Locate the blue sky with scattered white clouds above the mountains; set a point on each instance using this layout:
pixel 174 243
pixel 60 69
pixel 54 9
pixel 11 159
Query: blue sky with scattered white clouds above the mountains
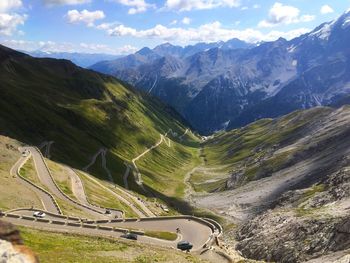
pixel 124 26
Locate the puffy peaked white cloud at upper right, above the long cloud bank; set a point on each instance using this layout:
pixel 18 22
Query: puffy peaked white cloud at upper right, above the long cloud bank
pixel 284 14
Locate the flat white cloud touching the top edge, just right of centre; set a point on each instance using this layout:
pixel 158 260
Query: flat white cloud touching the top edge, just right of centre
pixel 187 5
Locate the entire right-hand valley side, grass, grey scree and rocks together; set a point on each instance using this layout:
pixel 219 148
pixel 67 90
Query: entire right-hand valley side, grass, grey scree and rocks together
pixel 285 182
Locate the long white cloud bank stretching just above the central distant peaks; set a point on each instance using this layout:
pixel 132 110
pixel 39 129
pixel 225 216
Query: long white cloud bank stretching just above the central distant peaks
pixel 205 33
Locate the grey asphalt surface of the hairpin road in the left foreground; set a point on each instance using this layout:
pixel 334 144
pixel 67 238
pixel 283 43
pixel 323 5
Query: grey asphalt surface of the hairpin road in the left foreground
pixel 193 231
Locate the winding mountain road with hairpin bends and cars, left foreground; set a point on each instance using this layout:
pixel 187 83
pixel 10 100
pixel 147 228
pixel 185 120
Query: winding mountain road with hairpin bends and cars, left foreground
pixel 194 230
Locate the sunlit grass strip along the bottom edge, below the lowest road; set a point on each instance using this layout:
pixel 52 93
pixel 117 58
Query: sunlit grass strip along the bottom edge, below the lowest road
pixel 62 247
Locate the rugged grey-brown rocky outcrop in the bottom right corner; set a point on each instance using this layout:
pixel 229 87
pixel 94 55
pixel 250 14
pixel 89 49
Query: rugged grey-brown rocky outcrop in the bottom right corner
pixel 305 224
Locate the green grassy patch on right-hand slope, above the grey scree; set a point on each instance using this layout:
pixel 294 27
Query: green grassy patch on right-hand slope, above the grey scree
pixel 252 152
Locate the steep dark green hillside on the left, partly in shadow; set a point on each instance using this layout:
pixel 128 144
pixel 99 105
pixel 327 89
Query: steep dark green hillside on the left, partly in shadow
pixel 83 112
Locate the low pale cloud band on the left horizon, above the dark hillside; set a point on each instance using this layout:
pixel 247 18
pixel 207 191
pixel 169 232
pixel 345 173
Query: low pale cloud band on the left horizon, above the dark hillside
pixel 50 46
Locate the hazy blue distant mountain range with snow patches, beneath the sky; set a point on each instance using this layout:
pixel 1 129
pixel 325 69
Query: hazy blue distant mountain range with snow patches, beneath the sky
pixel 229 84
